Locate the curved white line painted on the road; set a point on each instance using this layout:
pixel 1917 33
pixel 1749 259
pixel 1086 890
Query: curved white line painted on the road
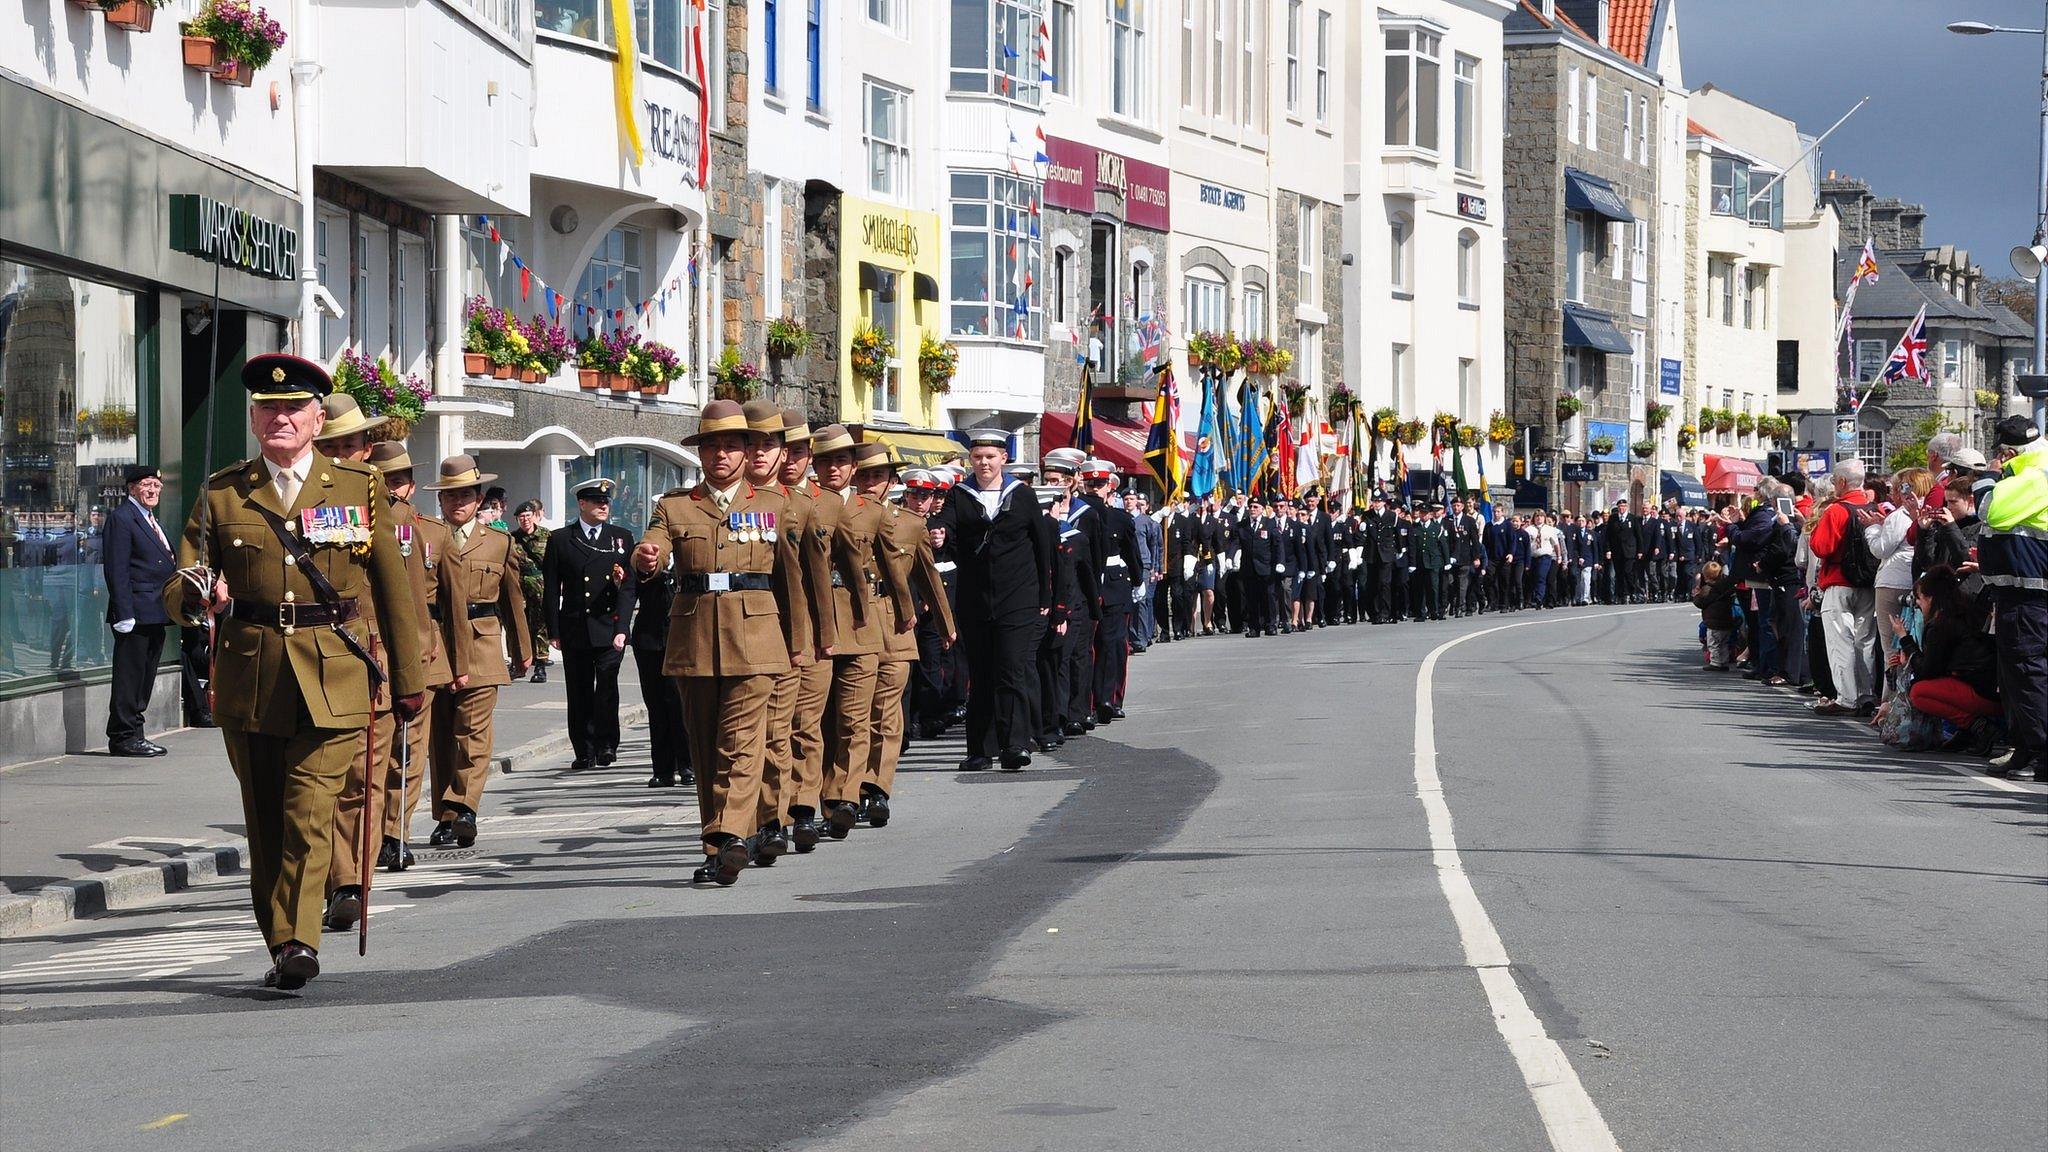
pixel 1570 1116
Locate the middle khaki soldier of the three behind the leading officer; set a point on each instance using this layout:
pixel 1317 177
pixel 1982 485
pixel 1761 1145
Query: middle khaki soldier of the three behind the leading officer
pixel 425 544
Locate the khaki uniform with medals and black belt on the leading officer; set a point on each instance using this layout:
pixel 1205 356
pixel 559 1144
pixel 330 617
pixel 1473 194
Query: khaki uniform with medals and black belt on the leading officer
pixel 292 698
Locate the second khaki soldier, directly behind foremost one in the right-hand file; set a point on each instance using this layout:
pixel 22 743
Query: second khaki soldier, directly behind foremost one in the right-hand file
pixel 812 600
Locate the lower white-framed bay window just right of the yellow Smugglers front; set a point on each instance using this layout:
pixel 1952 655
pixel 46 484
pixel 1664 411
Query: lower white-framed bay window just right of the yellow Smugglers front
pixel 998 259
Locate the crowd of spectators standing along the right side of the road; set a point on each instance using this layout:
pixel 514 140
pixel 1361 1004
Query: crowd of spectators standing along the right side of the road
pixel 1918 600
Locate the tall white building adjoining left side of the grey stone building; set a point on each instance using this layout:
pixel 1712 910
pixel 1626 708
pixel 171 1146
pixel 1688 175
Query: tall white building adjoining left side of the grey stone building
pixel 1422 216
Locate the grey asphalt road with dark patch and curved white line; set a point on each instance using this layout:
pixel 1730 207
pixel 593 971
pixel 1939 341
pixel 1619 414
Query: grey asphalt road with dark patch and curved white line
pixel 1598 899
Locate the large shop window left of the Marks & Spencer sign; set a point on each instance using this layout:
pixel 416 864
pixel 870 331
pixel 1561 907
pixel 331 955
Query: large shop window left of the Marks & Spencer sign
pixel 71 421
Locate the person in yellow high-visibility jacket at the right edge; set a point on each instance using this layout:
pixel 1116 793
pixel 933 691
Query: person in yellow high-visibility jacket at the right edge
pixel 2014 561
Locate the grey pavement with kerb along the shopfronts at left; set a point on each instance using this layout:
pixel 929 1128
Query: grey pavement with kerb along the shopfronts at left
pixel 87 833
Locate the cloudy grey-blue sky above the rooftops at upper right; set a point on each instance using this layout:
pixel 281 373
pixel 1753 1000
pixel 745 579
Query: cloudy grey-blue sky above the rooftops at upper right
pixel 1953 122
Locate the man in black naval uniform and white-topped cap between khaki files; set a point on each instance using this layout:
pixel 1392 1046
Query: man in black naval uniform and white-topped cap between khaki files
pixel 589 610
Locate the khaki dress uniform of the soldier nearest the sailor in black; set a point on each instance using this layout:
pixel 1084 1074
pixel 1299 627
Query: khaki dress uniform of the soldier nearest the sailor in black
pixel 857 587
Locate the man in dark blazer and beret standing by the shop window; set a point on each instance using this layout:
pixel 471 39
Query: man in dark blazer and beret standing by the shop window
pixel 138 565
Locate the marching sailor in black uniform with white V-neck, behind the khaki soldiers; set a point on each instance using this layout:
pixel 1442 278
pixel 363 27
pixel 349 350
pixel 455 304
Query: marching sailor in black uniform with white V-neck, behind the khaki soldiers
pixel 1007 591
